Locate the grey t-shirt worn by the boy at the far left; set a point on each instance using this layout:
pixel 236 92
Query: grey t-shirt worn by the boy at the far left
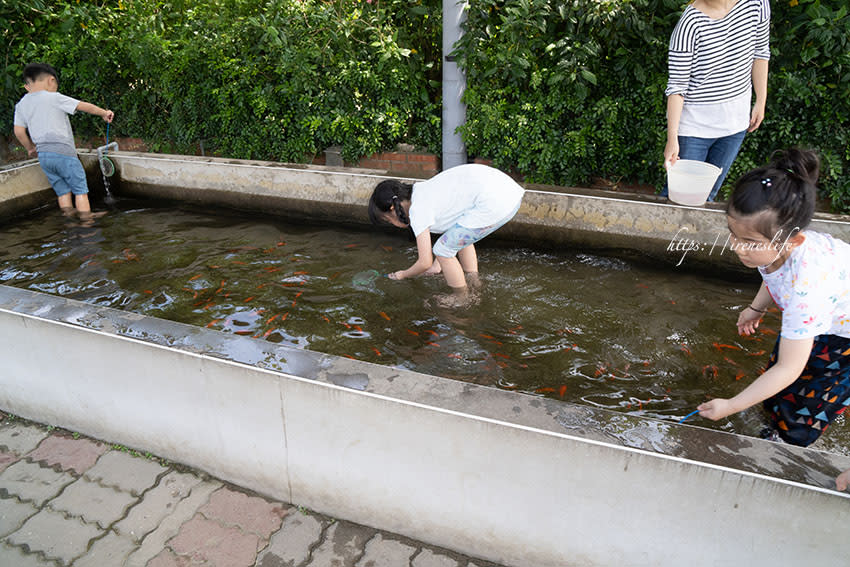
pixel 45 115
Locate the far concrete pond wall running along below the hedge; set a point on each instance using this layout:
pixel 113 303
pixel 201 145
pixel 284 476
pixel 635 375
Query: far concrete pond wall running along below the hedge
pixel 549 216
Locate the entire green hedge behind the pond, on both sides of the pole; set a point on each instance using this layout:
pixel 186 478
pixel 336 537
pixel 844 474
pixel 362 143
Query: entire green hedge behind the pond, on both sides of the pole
pixel 562 91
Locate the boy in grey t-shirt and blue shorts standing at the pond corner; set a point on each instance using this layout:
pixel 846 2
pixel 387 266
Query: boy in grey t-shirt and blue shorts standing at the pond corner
pixel 42 126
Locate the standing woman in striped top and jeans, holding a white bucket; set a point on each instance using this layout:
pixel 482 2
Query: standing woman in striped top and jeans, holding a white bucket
pixel 718 55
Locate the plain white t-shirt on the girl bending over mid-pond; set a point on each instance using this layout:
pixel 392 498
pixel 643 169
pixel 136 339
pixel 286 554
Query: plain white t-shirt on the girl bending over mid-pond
pixel 471 195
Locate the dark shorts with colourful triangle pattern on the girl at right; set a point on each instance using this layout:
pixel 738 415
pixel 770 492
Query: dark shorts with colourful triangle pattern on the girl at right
pixel 803 411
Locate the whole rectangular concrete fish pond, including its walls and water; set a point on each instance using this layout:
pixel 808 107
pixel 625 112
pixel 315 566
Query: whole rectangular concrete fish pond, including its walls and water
pixel 241 344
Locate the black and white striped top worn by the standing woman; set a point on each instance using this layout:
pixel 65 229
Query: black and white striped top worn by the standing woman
pixel 711 61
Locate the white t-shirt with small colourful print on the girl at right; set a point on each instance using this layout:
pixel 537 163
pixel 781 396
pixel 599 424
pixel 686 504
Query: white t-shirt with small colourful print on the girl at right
pixel 812 288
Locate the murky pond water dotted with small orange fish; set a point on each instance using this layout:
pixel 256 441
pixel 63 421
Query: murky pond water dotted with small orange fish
pixel 610 331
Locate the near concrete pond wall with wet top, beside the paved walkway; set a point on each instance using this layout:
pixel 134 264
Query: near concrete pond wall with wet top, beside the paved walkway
pixel 507 477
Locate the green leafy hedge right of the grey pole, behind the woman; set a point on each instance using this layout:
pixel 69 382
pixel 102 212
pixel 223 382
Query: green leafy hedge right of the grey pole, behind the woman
pixel 568 91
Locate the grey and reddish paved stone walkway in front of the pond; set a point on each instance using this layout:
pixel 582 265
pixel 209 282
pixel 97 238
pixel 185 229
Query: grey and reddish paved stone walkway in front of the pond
pixel 69 501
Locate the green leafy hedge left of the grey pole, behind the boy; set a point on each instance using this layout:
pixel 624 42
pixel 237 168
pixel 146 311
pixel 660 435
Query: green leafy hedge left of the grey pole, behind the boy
pixel 261 79
